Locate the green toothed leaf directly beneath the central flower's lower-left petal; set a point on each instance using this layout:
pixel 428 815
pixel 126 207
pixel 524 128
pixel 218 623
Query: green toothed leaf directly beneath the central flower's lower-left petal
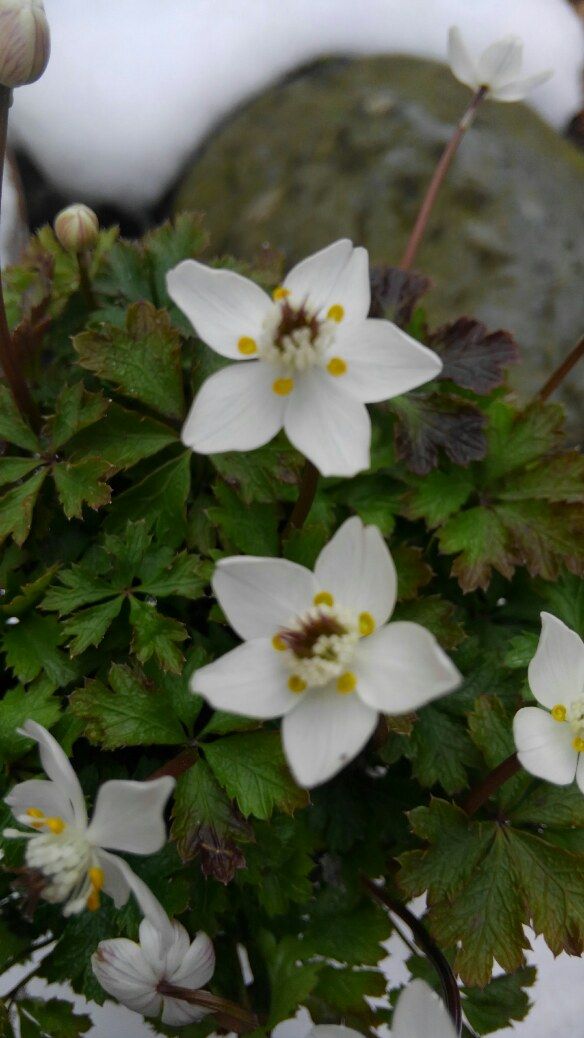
pixel 253 769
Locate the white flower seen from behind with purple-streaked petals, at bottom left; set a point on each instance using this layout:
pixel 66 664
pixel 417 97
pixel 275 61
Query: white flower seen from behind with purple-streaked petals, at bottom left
pixel 134 973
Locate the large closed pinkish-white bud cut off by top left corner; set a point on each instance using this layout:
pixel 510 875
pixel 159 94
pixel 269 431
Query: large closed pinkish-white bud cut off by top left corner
pixel 25 42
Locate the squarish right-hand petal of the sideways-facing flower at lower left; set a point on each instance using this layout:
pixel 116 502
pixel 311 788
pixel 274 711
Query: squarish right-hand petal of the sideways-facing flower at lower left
pixel 130 815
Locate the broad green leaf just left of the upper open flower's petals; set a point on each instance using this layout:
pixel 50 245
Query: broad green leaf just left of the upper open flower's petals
pixel 143 361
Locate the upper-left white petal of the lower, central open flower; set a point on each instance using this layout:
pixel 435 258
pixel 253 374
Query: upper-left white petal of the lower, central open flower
pixel 259 596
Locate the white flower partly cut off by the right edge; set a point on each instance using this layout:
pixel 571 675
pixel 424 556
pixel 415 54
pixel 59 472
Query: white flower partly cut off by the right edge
pixel 550 743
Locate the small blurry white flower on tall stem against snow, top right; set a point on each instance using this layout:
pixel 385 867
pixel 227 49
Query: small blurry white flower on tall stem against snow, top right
pixel 498 69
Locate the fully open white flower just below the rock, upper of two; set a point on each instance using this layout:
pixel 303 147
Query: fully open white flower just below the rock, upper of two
pixel 311 360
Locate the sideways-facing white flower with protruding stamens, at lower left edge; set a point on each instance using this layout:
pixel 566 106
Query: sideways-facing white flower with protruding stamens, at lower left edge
pixel 69 854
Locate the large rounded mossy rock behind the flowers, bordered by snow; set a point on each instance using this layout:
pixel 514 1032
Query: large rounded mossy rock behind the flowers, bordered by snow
pixel 348 148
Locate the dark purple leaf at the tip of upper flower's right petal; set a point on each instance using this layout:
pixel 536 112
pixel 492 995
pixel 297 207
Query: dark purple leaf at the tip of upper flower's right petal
pixel 472 358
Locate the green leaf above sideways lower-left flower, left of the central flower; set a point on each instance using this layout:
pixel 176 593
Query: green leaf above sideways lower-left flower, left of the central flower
pixel 129 714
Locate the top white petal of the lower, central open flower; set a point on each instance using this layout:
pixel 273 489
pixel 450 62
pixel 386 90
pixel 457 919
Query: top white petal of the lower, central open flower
pixel 357 569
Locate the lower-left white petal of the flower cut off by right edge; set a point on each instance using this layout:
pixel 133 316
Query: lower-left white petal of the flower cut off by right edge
pixel 545 746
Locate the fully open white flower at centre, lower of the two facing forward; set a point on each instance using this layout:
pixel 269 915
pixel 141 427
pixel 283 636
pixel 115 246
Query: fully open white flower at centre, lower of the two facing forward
pixel 319 651
